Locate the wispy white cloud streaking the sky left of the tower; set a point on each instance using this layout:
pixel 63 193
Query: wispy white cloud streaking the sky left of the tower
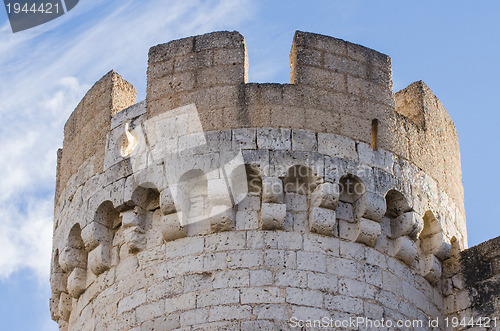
pixel 46 71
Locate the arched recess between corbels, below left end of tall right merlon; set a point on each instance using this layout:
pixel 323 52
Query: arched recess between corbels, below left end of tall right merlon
pixel 299 182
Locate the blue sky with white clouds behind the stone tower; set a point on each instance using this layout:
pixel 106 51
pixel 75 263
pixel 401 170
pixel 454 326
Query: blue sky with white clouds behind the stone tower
pixel 45 71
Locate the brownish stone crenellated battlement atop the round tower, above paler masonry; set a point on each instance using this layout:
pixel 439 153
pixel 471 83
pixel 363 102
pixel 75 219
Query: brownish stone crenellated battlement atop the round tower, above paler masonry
pixel 336 87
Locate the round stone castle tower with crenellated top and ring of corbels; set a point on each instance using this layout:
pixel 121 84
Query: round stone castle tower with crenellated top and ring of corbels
pixel 222 204
